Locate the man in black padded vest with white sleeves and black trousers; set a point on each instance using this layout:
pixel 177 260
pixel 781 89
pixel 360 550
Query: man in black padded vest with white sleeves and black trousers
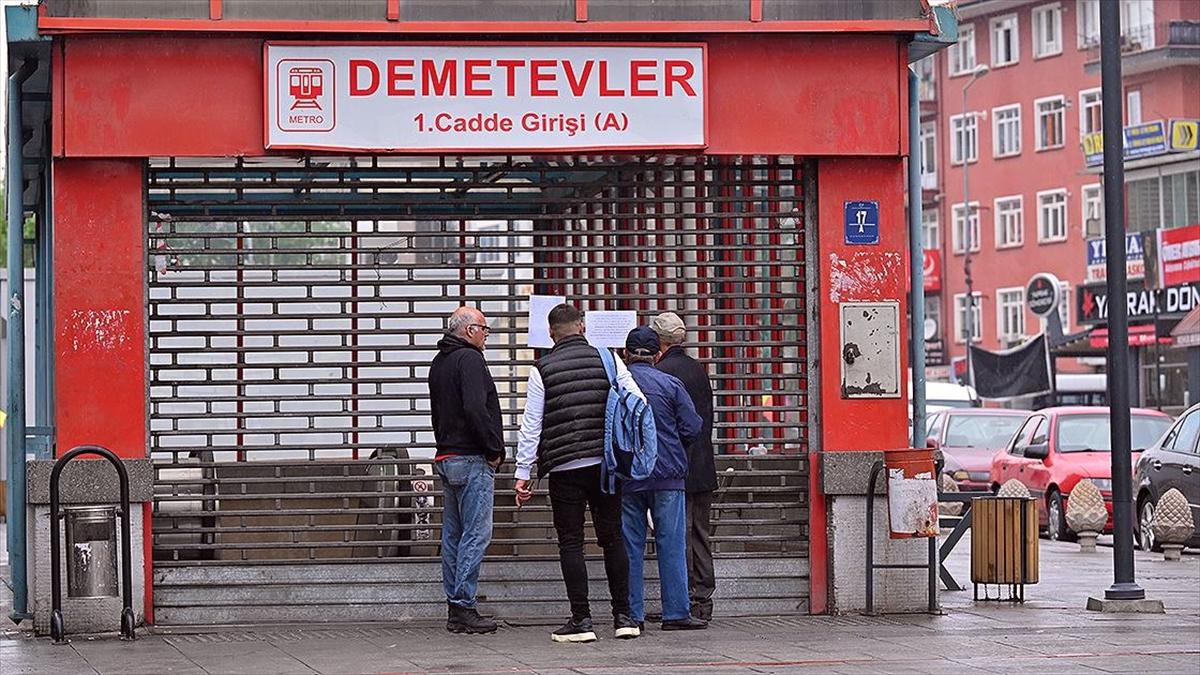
pixel 563 432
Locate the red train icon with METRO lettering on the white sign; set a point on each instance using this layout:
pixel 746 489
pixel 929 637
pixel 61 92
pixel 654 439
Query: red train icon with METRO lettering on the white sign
pixel 305 95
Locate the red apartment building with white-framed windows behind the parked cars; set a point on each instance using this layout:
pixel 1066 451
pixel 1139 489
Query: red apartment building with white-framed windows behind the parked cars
pixel 1011 122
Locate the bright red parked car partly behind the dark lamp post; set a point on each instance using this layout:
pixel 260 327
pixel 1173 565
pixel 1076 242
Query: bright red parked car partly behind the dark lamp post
pixel 1059 447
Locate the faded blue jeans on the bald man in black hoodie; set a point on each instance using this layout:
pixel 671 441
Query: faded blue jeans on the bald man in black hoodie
pixel 467 487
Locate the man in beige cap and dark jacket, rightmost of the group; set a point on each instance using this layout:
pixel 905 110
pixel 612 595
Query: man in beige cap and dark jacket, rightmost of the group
pixel 701 481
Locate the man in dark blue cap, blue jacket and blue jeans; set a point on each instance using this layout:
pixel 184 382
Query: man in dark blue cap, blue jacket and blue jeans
pixel 662 494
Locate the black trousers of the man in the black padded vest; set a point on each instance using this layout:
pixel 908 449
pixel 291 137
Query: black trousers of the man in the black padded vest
pixel 573 494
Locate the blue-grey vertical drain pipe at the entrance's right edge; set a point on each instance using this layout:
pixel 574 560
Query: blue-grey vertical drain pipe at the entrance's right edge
pixel 917 268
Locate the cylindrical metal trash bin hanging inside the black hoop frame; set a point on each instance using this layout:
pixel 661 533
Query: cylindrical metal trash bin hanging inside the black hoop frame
pixel 92 540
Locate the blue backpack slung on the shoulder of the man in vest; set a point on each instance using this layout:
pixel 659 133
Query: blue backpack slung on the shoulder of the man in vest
pixel 631 440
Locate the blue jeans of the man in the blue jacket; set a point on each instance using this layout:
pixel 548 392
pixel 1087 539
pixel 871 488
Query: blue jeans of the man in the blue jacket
pixel 668 507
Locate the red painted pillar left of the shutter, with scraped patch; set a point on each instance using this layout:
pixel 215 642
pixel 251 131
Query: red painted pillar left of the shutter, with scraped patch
pixel 100 313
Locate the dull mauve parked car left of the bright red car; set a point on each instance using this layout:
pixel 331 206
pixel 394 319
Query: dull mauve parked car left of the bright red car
pixel 969 439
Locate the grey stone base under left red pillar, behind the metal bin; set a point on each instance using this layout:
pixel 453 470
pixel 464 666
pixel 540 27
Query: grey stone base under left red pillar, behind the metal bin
pixel 81 616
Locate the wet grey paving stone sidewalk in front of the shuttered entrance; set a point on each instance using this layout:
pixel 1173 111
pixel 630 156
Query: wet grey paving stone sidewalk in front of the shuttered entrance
pixel 1051 634
